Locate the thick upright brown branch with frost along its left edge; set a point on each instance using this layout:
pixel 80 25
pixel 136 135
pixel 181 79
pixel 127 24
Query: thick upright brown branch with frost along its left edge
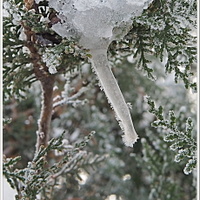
pixel 47 82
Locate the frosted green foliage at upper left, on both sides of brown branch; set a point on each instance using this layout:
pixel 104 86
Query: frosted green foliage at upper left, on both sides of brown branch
pixel 16 56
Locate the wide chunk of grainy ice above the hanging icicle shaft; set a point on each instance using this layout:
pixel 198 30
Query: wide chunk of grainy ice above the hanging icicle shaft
pixel 94 20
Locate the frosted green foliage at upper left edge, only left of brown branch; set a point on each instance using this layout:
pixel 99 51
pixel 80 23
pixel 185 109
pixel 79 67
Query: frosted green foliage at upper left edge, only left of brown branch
pixel 16 62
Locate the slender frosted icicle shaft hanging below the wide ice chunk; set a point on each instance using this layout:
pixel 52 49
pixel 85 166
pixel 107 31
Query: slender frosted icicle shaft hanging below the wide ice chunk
pixel 109 84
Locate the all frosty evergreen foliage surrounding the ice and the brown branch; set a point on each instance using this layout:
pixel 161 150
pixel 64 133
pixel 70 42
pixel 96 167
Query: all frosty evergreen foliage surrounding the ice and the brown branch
pixel 161 38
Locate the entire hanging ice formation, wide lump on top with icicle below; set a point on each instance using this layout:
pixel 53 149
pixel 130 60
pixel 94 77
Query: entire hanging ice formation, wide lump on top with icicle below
pixel 95 24
